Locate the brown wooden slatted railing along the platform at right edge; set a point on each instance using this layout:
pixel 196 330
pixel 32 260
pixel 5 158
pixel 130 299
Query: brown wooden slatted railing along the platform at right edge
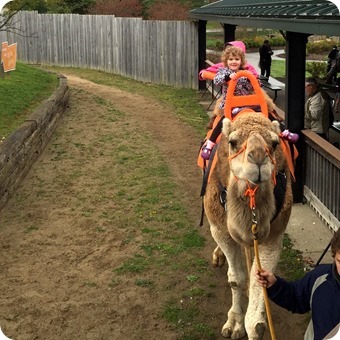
pixel 322 178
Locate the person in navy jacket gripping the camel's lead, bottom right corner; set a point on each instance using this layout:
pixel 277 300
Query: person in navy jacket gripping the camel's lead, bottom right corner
pixel 318 291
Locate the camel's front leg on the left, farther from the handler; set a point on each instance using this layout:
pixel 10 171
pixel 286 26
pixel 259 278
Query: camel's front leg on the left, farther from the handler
pixel 237 278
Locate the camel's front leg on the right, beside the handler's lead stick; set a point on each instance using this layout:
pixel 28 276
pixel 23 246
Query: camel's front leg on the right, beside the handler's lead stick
pixel 255 320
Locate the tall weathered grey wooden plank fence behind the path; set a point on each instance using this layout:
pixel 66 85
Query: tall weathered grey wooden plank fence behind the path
pixel 161 52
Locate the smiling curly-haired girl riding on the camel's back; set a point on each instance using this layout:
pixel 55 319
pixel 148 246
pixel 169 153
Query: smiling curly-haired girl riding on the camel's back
pixel 233 60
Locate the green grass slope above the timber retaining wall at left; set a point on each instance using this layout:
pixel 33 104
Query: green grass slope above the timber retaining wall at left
pixel 21 91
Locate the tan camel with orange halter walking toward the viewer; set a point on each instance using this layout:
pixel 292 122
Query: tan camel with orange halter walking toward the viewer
pixel 250 160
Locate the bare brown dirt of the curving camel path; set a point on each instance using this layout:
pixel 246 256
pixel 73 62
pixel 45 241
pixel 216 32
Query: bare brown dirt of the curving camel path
pixel 48 249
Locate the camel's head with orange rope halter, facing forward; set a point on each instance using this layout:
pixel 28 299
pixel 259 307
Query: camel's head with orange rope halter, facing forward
pixel 253 141
